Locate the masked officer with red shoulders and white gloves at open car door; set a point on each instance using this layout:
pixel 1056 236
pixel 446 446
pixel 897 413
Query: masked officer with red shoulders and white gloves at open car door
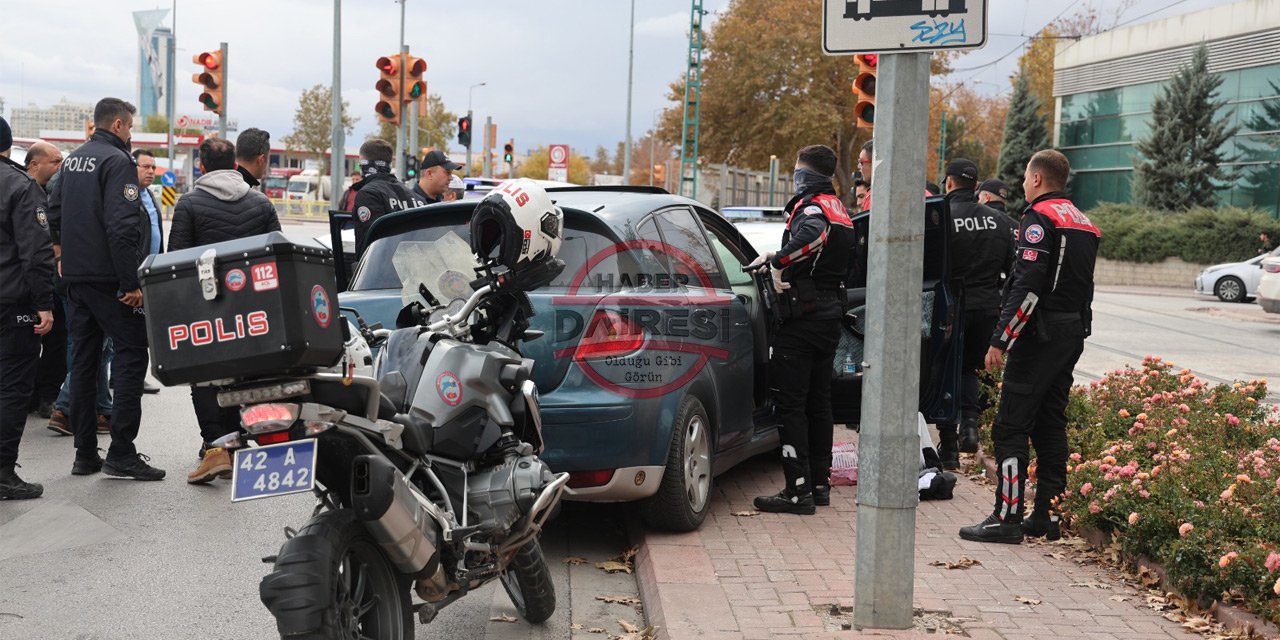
pixel 810 278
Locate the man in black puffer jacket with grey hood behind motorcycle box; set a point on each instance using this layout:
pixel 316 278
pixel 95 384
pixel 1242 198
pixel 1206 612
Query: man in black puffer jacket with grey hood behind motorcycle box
pixel 221 208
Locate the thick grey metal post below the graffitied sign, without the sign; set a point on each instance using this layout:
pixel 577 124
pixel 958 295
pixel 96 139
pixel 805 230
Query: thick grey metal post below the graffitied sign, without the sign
pixel 890 446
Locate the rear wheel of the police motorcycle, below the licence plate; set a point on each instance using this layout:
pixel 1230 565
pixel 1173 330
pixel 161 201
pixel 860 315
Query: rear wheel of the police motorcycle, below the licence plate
pixel 367 597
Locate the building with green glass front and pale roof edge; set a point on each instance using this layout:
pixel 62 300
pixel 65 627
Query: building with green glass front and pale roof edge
pixel 1104 88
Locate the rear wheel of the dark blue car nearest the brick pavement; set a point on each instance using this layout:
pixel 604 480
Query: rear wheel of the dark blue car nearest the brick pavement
pixel 685 492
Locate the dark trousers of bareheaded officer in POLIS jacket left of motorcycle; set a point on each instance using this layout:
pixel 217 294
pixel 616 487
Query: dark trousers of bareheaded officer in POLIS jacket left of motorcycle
pixel 98 314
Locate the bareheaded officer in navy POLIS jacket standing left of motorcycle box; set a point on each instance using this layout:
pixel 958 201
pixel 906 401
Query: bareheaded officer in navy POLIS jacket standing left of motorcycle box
pixel 106 236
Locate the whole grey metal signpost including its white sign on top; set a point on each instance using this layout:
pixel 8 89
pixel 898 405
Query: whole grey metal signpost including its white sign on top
pixel 890 446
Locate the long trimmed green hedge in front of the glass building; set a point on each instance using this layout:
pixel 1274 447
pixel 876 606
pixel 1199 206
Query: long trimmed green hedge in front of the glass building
pixel 1200 236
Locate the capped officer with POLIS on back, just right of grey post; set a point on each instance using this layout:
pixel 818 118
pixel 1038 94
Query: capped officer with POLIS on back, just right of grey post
pixel 982 253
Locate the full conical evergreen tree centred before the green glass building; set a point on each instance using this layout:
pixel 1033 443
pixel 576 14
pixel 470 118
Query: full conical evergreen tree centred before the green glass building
pixel 1180 164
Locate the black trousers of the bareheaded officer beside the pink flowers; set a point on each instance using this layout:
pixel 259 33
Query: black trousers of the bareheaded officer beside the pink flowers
pixel 1034 399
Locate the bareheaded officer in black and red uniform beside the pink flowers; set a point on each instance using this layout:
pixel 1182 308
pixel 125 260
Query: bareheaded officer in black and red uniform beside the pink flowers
pixel 1046 316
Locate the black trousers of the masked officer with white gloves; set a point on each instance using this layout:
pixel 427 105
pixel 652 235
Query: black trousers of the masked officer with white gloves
pixel 801 376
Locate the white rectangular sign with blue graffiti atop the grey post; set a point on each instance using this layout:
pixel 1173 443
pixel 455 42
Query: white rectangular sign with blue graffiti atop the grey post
pixel 902 26
